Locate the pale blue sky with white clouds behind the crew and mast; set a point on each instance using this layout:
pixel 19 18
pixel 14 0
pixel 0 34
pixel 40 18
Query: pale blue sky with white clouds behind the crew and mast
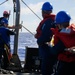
pixel 29 19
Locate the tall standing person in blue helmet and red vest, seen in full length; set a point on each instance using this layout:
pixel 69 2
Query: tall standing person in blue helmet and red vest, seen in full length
pixel 43 36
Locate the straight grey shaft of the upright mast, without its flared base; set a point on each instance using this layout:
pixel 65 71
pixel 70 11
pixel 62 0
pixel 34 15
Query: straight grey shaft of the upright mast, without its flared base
pixel 17 25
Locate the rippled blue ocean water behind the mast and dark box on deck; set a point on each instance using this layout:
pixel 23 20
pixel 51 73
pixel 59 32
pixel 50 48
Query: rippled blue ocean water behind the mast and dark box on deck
pixel 24 40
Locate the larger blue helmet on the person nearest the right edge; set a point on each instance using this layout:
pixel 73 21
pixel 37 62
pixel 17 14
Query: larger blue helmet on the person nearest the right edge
pixel 62 17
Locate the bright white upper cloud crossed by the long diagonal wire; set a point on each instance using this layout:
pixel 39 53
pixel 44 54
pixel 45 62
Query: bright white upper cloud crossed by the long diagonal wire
pixel 34 7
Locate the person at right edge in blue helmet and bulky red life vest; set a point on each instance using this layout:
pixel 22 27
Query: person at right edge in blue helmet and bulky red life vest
pixel 64 42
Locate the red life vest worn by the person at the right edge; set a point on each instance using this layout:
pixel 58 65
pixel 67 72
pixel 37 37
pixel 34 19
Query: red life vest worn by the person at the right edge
pixel 69 41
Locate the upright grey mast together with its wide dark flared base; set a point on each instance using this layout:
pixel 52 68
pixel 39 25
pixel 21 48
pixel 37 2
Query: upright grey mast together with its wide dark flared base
pixel 15 57
